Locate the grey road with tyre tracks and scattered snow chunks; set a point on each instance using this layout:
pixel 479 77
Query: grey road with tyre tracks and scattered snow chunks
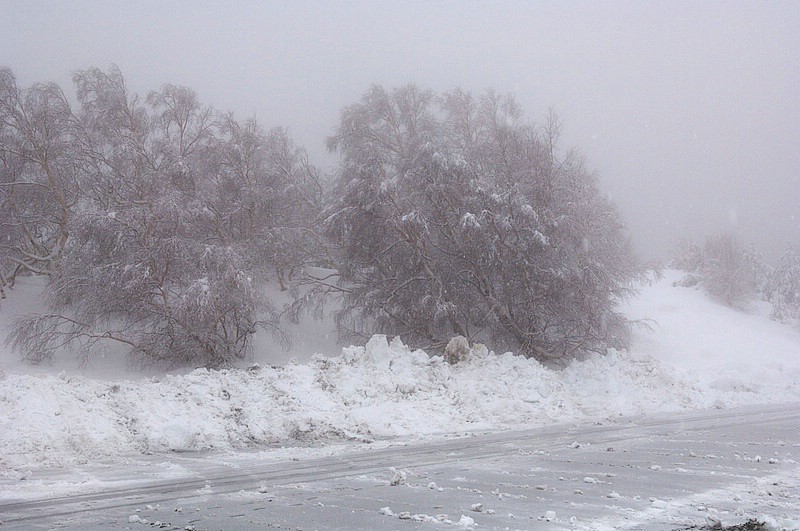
pixel 664 472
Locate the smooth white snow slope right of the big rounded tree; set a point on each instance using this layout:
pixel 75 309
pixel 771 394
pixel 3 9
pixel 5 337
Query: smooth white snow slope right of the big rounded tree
pixel 742 353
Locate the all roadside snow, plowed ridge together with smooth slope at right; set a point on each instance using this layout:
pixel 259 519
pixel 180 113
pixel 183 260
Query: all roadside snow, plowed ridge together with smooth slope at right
pixel 698 354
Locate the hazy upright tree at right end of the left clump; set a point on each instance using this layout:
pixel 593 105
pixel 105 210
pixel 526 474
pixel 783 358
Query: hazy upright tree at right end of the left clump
pixel 263 193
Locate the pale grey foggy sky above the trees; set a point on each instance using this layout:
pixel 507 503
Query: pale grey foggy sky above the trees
pixel 689 113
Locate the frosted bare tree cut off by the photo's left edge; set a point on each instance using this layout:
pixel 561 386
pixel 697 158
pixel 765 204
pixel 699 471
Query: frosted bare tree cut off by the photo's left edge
pixel 39 177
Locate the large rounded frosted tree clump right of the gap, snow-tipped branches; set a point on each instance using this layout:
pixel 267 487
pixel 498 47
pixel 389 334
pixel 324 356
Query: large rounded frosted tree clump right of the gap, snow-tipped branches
pixel 455 217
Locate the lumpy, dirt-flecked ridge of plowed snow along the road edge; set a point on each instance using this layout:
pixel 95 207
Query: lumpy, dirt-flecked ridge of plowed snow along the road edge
pixel 382 389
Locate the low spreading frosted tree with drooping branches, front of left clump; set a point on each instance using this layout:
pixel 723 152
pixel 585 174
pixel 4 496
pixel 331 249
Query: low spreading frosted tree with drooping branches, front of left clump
pixel 141 277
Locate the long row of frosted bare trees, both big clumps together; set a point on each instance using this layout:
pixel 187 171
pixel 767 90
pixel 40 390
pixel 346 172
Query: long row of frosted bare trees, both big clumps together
pixel 158 221
